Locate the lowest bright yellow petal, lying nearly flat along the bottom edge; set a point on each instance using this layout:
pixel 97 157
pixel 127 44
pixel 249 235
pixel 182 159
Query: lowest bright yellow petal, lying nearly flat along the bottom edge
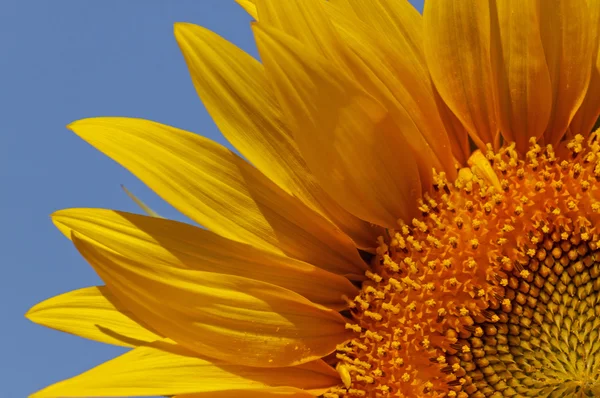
pixel 146 371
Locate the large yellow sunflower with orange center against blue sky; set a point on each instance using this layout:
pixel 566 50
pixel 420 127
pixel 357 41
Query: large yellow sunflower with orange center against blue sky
pixel 417 215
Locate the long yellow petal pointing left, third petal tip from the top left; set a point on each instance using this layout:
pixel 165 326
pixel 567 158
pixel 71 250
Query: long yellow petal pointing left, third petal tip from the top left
pixel 219 190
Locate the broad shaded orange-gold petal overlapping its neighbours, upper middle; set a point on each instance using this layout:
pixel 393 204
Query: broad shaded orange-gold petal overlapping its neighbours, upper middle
pixel 346 137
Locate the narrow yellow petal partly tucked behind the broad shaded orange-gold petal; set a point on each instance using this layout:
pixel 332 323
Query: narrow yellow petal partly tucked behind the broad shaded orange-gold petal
pixel 235 91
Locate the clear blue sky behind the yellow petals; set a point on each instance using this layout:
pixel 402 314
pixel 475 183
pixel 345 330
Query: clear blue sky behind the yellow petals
pixel 61 61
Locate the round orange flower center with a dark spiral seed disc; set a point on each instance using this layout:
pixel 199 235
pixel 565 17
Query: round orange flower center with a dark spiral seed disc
pixel 493 291
